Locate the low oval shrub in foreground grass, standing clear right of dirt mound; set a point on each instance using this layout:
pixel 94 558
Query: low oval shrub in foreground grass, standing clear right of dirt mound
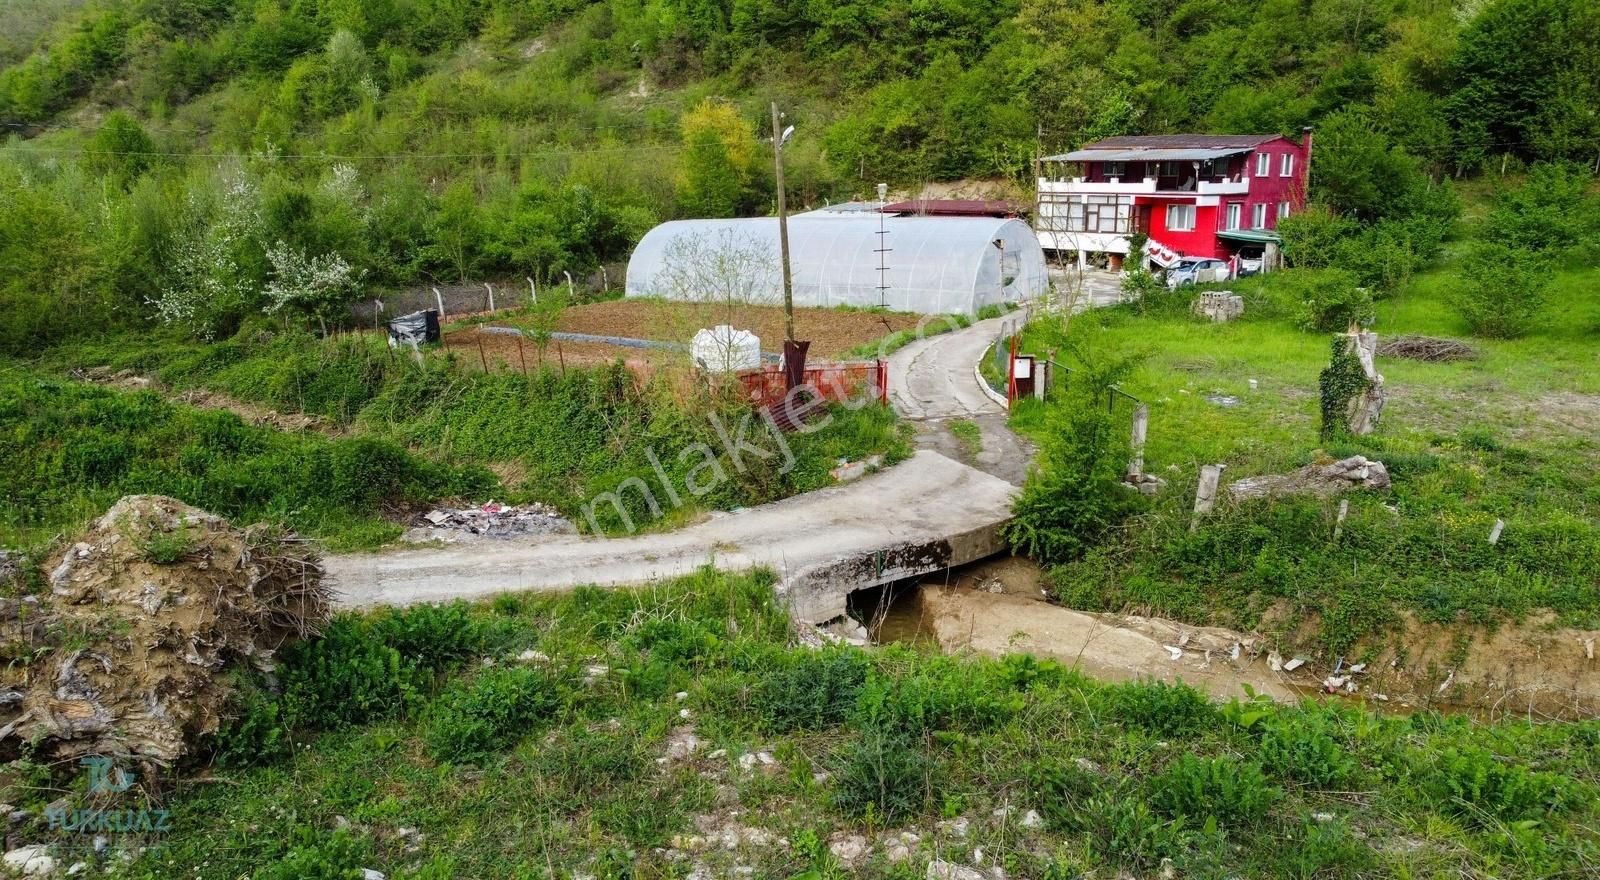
pixel 478 719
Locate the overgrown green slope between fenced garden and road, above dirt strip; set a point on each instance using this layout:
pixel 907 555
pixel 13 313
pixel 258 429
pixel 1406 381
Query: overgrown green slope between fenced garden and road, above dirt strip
pixel 562 439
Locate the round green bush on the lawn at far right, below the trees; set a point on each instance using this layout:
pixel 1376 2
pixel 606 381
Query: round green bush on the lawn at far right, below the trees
pixel 1502 290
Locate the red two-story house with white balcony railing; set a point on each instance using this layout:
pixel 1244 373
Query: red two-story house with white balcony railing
pixel 1217 196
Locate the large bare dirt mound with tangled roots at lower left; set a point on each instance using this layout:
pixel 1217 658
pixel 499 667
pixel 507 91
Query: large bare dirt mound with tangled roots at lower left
pixel 127 654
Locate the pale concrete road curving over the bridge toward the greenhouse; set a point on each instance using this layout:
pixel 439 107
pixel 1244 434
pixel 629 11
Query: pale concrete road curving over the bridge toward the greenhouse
pixel 927 498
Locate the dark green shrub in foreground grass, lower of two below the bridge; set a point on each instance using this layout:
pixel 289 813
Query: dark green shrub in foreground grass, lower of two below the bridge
pixel 884 775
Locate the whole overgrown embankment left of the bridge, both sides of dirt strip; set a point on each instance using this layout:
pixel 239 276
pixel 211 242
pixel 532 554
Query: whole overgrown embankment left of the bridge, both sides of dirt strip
pixel 561 438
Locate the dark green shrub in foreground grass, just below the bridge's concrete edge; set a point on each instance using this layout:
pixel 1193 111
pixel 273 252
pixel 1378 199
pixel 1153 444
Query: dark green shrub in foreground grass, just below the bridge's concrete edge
pixel 809 690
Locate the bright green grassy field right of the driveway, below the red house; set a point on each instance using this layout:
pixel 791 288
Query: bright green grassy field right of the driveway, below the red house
pixel 1513 434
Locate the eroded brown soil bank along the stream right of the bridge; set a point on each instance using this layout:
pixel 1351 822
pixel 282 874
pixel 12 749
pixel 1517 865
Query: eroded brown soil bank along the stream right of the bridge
pixel 999 607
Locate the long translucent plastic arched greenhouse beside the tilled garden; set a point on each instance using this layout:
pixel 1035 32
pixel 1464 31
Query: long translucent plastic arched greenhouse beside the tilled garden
pixel 846 258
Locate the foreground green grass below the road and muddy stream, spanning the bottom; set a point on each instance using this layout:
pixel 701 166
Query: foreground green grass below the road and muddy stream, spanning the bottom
pixel 1122 777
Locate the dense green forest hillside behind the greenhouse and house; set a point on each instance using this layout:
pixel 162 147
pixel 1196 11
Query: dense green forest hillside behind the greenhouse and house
pixel 199 162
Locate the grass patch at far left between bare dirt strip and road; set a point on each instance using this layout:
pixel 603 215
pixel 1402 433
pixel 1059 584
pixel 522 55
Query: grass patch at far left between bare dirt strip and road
pixel 73 449
